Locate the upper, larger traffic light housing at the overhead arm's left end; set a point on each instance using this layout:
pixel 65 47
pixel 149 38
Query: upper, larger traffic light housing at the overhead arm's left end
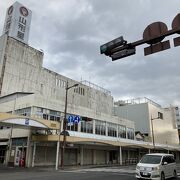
pixel 106 48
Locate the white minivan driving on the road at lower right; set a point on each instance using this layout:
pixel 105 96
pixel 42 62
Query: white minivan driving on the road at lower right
pixel 156 166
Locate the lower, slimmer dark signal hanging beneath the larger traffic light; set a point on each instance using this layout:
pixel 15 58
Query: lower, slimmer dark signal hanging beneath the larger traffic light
pixel 123 53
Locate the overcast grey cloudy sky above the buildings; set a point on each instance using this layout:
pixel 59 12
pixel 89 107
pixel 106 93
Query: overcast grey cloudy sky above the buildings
pixel 70 33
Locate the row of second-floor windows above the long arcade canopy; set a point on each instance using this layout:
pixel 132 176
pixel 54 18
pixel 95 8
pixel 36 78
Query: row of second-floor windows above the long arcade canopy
pixel 100 127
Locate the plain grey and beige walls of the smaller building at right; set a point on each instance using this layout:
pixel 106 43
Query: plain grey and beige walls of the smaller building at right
pixel 141 114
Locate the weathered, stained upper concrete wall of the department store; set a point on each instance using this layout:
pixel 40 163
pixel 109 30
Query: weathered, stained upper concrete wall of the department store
pixel 24 73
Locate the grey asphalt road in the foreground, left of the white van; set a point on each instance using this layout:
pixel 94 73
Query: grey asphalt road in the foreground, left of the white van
pixel 114 173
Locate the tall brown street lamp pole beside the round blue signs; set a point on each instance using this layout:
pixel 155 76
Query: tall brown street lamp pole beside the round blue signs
pixel 65 125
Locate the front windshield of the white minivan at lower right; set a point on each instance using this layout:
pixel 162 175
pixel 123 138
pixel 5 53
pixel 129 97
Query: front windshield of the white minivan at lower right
pixel 151 159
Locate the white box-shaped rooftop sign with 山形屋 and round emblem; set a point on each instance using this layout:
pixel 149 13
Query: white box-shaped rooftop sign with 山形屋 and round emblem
pixel 17 22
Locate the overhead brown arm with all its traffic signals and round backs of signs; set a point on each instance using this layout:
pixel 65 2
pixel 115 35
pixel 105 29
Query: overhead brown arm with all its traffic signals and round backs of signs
pixel 153 35
